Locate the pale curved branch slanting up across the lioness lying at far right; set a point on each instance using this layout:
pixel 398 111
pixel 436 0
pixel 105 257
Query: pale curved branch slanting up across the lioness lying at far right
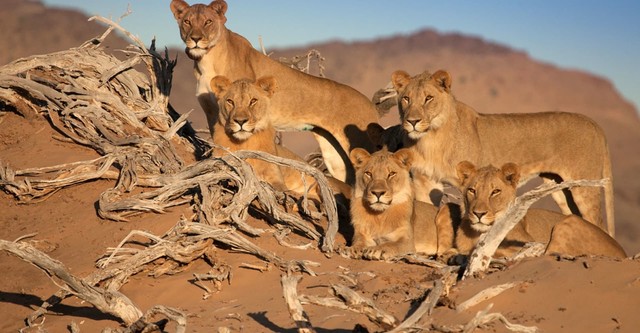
pixel 480 258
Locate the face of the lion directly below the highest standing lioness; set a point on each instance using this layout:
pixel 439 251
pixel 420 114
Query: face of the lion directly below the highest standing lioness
pixel 244 104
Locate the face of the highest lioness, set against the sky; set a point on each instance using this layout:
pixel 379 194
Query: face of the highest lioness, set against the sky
pixel 200 25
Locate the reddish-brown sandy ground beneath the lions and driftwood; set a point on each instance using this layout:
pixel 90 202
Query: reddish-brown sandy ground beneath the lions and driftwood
pixel 587 294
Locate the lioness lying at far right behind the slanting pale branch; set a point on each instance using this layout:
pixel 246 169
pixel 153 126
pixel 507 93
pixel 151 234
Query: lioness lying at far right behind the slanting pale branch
pixel 487 193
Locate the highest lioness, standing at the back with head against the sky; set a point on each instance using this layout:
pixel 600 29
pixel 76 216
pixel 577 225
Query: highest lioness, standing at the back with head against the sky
pixel 337 114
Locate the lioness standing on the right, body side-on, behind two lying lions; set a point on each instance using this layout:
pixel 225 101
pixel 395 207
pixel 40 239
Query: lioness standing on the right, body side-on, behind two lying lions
pixel 554 145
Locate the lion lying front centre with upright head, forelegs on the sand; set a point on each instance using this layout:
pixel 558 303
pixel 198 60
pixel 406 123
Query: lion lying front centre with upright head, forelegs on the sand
pixel 386 219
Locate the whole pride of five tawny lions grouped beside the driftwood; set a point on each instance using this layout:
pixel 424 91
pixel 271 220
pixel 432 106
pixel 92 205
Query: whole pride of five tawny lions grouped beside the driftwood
pixel 395 192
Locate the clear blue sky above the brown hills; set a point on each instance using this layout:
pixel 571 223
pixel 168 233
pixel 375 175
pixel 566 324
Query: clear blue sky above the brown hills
pixel 601 37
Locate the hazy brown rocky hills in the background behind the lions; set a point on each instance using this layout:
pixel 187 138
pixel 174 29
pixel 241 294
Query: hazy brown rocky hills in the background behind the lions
pixel 490 77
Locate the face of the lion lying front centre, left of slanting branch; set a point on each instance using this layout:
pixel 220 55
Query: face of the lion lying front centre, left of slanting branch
pixel 382 178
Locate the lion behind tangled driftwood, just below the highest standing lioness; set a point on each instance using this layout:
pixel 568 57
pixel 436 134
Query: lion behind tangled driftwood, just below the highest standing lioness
pixel 245 124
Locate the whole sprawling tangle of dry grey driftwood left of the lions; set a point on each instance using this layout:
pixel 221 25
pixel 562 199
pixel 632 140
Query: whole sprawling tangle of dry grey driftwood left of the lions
pixel 99 101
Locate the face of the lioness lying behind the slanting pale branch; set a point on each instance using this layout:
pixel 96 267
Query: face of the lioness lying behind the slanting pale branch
pixel 487 192
